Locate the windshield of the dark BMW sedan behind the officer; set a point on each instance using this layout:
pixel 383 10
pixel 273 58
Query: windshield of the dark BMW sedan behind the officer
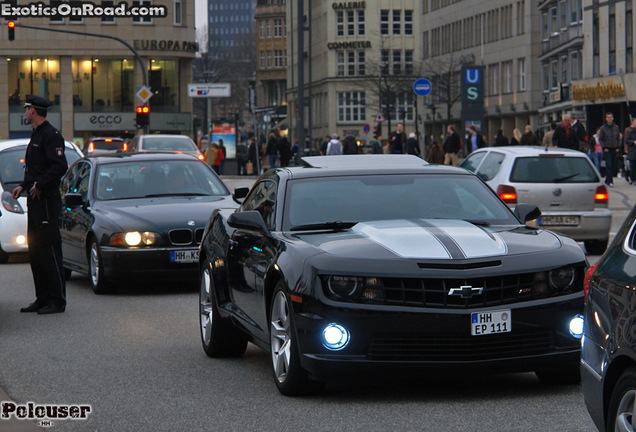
pixel 145 179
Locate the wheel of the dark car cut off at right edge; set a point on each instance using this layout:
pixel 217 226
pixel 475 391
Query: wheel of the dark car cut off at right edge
pixel 622 402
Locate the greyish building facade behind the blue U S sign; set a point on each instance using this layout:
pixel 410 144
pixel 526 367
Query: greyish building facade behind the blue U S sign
pixel 501 37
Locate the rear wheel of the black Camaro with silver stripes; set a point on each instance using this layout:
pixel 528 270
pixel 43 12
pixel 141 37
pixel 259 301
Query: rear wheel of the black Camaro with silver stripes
pixel 218 336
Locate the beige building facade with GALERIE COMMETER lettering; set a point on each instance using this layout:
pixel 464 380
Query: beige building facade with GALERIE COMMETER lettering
pixel 360 58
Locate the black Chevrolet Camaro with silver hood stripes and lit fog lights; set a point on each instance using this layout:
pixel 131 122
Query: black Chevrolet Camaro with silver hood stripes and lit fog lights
pixel 382 262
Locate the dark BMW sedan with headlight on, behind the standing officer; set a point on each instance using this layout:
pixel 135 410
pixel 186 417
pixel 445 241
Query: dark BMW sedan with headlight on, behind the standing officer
pixel 137 216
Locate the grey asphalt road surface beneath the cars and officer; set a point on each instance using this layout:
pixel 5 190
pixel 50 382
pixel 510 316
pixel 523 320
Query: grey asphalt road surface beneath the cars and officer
pixel 135 357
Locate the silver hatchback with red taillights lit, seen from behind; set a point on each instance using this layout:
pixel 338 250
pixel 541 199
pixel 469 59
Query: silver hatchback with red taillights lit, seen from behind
pixel 564 184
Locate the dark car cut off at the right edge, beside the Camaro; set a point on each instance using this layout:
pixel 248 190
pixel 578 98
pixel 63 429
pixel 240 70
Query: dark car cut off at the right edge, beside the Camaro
pixel 608 357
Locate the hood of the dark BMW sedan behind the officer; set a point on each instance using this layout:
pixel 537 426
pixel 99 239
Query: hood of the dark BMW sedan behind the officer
pixel 162 212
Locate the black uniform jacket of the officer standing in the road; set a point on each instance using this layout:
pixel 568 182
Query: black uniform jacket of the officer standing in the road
pixel 45 162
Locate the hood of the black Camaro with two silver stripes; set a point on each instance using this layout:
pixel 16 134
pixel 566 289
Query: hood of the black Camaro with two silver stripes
pixel 431 239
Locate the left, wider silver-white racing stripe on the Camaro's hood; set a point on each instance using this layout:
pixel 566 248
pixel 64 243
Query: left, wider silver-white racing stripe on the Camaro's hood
pixel 404 238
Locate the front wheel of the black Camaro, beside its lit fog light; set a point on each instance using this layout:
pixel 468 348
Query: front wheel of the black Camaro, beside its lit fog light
pixel 290 378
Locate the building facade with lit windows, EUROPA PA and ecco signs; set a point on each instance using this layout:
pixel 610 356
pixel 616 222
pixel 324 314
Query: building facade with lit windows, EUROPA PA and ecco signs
pixel 92 82
